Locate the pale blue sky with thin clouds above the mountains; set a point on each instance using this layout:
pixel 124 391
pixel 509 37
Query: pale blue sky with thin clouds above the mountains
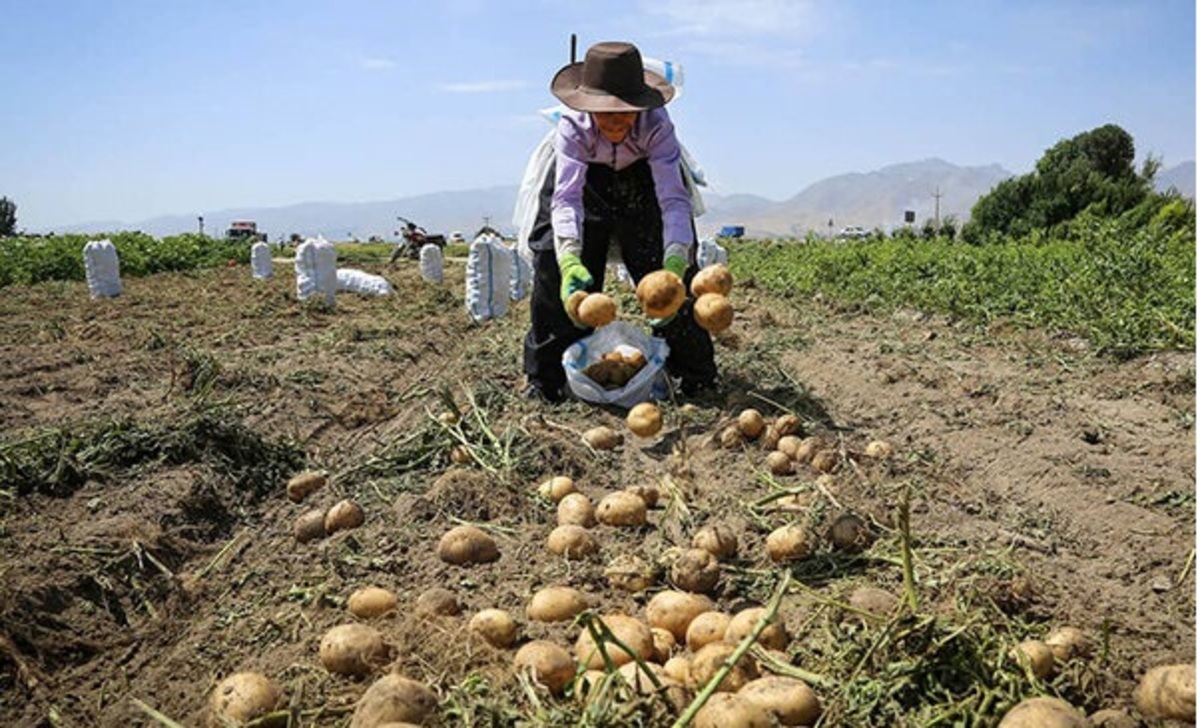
pixel 125 110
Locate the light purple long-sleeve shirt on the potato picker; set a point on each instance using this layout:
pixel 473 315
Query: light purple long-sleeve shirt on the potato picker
pixel 580 143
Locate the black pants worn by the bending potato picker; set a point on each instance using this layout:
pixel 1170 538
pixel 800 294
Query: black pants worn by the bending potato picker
pixel 620 208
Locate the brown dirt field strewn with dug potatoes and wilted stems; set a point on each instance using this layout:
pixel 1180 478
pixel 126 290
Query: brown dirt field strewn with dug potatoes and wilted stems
pixel 146 538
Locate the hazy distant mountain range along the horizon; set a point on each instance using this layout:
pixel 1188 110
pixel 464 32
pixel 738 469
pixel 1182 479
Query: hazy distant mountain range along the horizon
pixel 875 200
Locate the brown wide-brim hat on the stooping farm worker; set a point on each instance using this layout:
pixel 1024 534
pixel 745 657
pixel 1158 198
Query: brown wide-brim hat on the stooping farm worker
pixel 611 79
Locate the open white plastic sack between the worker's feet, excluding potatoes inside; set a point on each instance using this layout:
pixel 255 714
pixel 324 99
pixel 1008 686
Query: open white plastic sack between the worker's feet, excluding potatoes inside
pixel 649 384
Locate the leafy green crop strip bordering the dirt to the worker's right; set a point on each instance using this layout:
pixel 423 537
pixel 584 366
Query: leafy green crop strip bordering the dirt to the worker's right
pixel 1127 291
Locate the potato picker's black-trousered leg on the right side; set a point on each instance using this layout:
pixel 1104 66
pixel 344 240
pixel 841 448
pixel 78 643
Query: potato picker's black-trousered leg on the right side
pixel 640 236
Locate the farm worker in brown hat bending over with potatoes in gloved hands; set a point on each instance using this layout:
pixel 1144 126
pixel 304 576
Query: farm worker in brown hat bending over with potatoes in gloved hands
pixel 616 181
